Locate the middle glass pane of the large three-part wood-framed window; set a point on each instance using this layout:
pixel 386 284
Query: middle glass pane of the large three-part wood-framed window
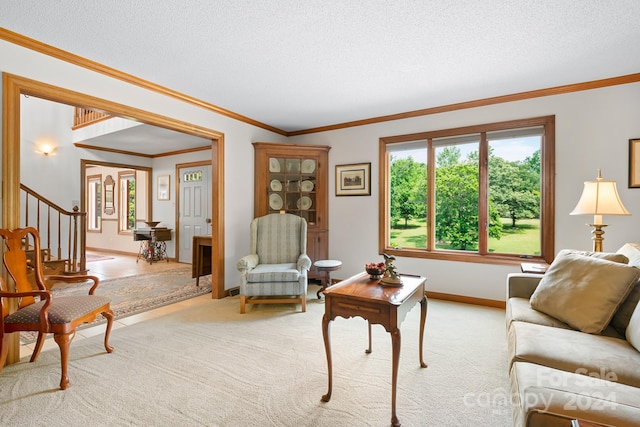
pixel 456 193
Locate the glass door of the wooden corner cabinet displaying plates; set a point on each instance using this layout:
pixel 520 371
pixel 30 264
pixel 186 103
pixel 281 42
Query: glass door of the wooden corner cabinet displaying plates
pixel 292 186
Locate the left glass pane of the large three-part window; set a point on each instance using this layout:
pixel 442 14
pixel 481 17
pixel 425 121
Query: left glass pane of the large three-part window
pixel 408 185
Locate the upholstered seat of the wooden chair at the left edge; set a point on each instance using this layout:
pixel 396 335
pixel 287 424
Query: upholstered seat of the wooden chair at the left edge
pixel 62 309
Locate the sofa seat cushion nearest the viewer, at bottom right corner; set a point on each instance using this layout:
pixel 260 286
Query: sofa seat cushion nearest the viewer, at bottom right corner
pixel 549 397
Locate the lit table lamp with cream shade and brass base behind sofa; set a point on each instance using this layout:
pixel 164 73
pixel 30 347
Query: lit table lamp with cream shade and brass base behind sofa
pixel 599 198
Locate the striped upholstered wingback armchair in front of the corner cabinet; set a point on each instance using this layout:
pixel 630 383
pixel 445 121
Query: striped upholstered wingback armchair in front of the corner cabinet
pixel 276 270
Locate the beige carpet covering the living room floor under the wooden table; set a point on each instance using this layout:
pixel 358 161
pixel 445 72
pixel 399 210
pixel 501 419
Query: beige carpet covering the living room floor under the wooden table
pixel 210 366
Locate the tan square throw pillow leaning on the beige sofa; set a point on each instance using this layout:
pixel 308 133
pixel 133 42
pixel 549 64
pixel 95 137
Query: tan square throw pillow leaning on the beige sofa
pixel 584 291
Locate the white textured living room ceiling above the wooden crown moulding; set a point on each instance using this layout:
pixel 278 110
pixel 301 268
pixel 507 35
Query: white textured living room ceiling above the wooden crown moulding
pixel 296 64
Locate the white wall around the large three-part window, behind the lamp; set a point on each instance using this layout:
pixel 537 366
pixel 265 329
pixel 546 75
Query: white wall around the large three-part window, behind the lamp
pixel 592 131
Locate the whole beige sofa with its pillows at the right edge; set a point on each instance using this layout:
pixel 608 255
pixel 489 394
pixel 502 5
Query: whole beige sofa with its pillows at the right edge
pixel 574 340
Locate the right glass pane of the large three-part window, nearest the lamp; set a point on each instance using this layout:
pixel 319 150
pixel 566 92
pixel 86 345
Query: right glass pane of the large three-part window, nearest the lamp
pixel 514 192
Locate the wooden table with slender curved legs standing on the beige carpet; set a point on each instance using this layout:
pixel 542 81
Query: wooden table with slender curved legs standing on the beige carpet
pixel 378 304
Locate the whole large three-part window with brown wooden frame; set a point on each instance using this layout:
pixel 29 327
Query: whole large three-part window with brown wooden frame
pixel 487 197
